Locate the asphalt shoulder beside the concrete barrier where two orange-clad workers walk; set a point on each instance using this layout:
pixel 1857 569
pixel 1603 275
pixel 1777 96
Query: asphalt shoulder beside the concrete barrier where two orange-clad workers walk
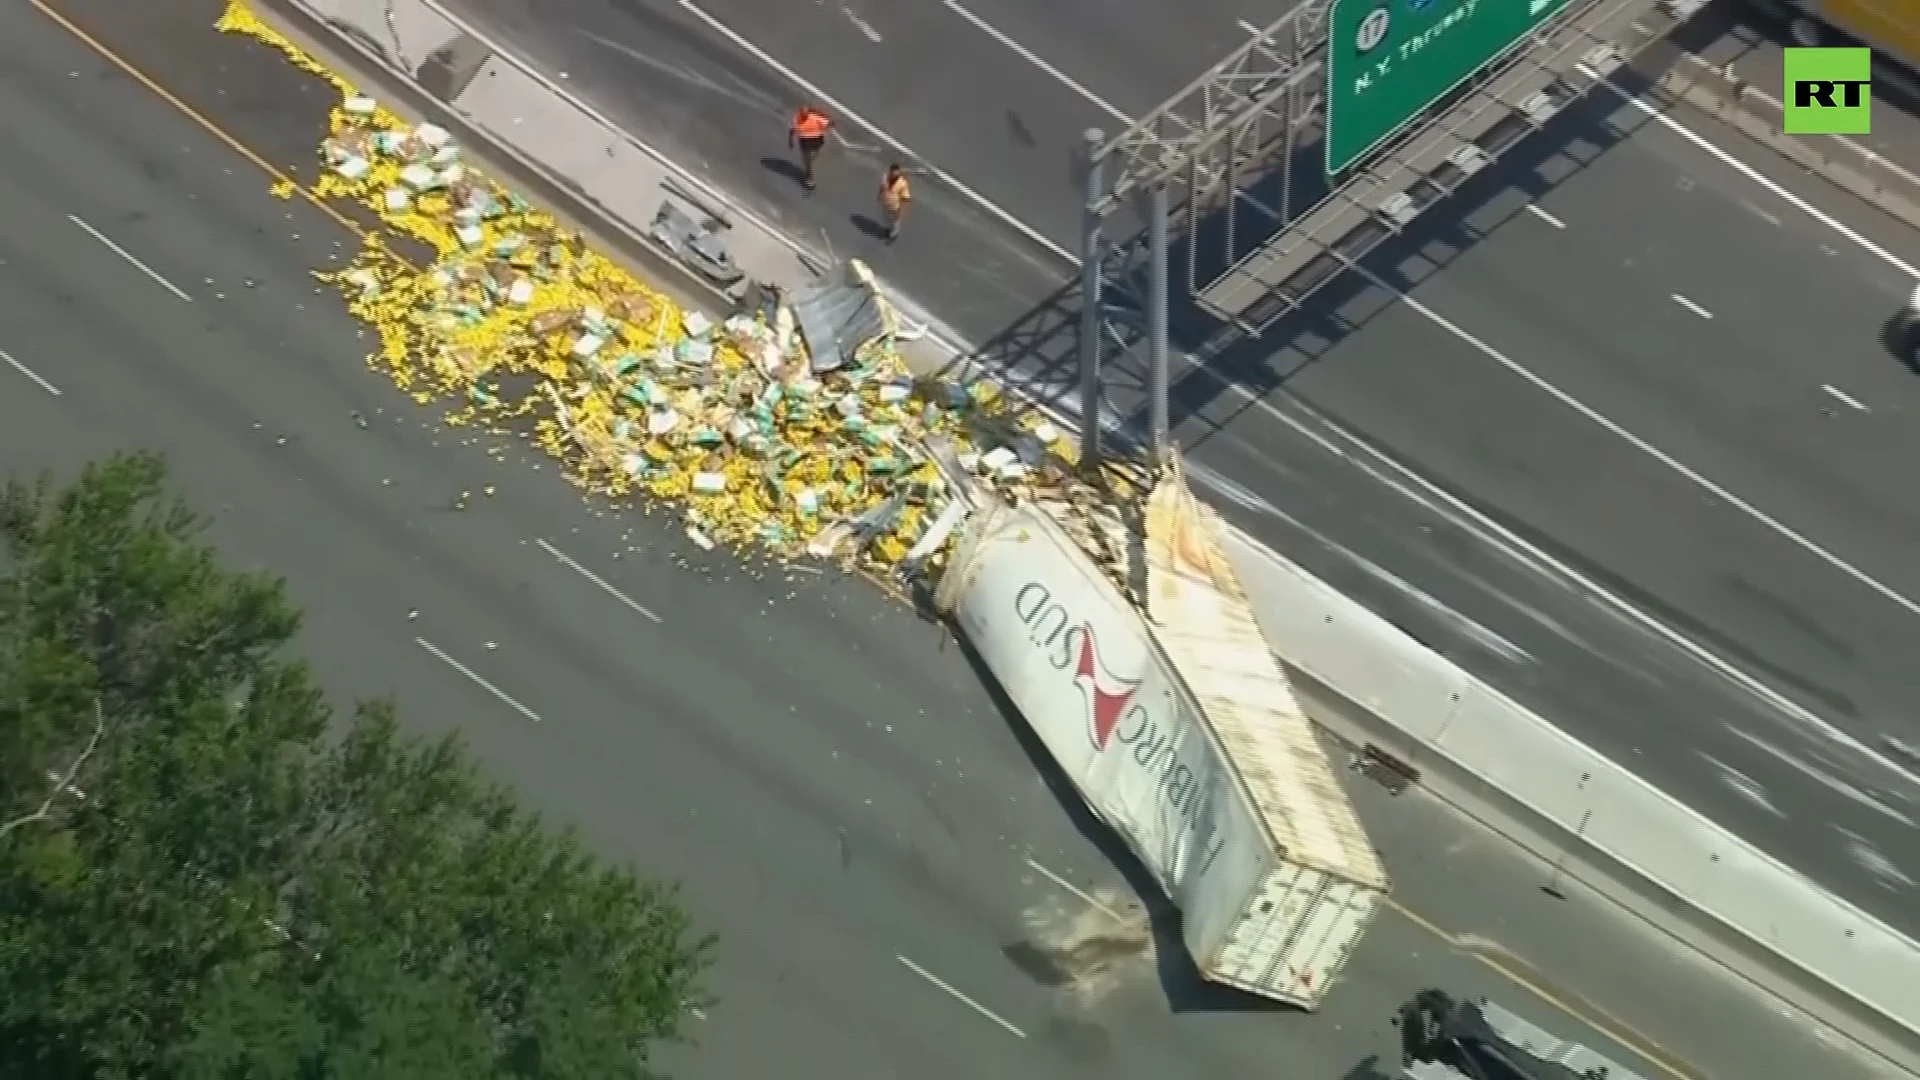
pixel 700 101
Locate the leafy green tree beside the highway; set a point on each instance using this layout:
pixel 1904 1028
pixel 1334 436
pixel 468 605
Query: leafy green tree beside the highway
pixel 204 875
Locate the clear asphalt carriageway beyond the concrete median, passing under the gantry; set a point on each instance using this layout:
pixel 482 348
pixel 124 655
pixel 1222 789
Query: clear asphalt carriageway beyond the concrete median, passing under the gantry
pixel 1652 406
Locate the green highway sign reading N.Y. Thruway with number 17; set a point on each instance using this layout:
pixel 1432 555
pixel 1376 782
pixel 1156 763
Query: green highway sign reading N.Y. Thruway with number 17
pixel 1387 61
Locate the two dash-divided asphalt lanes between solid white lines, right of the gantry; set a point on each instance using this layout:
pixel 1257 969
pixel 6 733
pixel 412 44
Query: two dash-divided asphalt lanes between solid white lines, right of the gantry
pixel 1725 343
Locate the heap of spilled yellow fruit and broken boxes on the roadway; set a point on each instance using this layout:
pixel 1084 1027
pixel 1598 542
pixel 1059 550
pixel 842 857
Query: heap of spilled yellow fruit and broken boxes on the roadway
pixel 790 426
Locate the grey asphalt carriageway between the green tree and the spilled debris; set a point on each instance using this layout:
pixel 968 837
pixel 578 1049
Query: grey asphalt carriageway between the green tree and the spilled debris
pixel 840 797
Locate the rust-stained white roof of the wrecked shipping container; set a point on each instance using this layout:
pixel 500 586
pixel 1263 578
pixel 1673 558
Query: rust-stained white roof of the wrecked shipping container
pixel 1205 624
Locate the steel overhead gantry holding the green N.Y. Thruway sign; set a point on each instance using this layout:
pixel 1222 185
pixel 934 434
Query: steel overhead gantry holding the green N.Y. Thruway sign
pixel 1353 116
